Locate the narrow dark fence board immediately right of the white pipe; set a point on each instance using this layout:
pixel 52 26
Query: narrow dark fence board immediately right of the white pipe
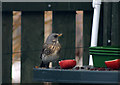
pixel 107 21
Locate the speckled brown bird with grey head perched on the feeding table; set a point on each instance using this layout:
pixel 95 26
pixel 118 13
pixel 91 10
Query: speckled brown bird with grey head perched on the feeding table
pixel 50 50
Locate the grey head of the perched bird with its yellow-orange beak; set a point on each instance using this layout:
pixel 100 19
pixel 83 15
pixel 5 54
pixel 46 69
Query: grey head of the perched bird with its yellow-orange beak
pixel 53 37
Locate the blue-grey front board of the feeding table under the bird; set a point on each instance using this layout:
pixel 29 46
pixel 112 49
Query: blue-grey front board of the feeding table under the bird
pixel 75 76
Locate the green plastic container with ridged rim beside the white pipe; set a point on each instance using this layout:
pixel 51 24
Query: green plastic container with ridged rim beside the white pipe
pixel 102 54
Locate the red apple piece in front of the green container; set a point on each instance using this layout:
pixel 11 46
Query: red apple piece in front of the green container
pixel 114 64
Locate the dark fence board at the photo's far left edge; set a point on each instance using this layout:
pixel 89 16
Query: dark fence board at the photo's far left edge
pixel 6 46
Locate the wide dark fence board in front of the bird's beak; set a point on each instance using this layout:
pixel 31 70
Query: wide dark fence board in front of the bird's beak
pixel 64 22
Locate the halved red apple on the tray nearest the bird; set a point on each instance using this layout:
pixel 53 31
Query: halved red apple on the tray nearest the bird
pixel 66 64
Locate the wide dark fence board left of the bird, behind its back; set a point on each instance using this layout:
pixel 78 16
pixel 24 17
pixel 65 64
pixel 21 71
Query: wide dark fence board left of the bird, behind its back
pixel 32 38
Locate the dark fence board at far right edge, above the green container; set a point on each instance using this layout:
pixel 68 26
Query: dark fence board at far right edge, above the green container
pixel 115 29
